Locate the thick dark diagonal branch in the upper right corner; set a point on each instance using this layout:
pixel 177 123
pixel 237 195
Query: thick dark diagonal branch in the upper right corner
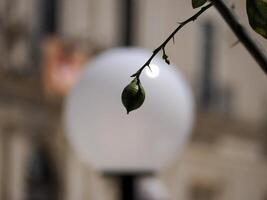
pixel 256 52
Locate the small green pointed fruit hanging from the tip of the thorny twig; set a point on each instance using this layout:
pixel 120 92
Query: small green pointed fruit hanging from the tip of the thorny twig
pixel 133 96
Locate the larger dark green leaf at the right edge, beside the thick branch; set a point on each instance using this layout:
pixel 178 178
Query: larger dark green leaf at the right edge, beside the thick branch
pixel 257 16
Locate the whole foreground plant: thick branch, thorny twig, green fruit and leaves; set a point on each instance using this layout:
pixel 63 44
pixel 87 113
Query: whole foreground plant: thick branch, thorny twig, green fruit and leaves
pixel 134 94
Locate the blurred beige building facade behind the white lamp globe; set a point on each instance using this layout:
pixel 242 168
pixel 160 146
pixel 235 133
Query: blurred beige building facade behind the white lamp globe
pixel 43 46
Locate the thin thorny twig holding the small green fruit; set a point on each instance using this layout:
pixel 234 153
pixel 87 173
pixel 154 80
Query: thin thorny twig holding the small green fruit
pixel 162 46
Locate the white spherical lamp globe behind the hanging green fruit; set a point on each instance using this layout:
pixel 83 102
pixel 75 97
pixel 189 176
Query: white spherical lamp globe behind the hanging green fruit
pixel 147 139
